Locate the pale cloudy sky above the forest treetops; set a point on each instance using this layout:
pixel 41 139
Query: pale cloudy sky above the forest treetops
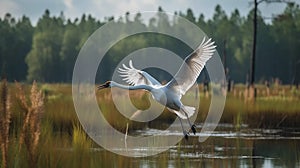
pixel 102 8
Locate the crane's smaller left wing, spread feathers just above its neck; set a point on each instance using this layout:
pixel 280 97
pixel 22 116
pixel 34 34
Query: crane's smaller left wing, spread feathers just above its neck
pixel 134 76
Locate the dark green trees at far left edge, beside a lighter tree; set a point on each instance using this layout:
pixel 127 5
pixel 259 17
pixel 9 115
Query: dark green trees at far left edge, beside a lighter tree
pixel 15 43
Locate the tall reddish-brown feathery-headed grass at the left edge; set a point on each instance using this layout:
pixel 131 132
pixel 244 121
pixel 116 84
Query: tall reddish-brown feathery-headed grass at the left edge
pixel 30 129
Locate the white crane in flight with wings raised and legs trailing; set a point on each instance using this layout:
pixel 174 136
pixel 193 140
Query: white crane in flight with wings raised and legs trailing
pixel 170 93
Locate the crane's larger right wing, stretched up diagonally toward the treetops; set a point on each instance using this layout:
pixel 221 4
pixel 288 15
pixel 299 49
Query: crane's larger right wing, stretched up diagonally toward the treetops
pixel 191 68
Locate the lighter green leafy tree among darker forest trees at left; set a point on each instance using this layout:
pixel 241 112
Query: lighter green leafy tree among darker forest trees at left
pixel 44 60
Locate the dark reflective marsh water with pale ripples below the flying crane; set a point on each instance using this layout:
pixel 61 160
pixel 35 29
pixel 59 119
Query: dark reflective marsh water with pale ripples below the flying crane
pixel 227 146
